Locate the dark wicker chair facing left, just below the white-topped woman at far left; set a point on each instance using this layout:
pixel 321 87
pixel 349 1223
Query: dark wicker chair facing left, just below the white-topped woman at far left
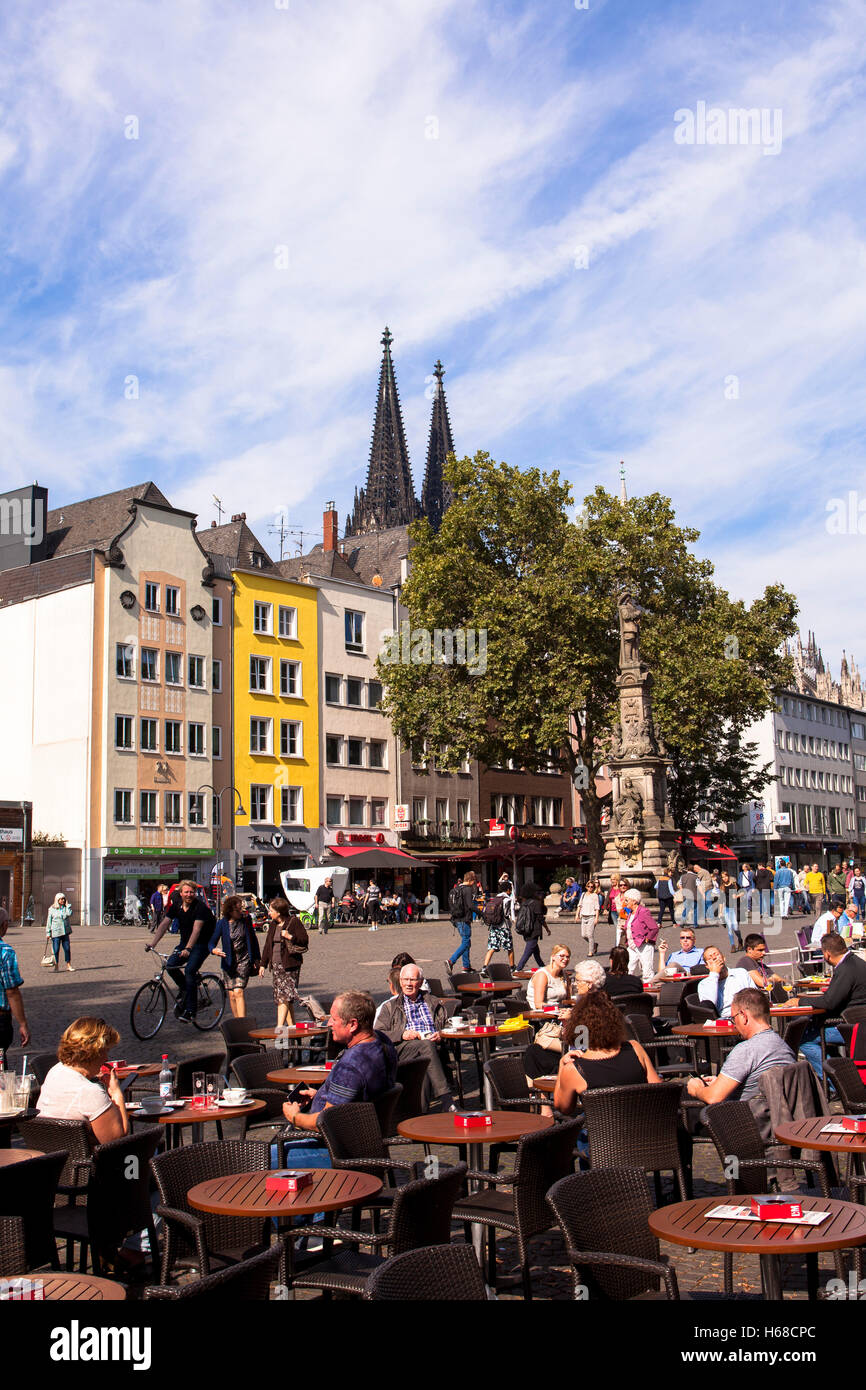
pixel 119 1200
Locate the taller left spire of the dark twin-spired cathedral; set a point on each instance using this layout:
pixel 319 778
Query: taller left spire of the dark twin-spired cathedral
pixel 390 498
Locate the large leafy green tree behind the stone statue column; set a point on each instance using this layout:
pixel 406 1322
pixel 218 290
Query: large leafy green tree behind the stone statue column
pixel 512 562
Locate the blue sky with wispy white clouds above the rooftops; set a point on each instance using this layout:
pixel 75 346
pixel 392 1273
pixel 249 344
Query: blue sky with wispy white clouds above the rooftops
pixel 439 166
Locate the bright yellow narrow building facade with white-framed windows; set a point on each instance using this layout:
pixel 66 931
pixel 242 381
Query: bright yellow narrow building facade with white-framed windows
pixel 276 728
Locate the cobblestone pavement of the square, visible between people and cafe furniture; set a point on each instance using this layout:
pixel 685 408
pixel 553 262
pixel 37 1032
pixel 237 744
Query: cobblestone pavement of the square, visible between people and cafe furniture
pixel 111 964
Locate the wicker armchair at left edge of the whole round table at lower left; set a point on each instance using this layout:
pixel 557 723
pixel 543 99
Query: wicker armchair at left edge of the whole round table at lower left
pixel 208 1239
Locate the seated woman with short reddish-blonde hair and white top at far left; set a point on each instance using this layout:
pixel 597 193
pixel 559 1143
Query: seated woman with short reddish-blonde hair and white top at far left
pixel 72 1090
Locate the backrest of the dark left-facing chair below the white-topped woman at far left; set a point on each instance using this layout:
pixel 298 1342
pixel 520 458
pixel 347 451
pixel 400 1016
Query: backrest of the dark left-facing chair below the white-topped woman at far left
pixel 119 1193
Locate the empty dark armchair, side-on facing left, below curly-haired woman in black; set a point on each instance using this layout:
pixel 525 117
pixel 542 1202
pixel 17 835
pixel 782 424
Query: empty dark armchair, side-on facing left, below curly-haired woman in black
pixel 543 1159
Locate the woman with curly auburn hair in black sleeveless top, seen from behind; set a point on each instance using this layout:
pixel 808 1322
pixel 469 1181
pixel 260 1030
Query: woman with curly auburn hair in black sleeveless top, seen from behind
pixel 598 1053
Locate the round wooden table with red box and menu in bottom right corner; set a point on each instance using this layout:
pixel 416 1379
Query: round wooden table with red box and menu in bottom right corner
pixel 686 1224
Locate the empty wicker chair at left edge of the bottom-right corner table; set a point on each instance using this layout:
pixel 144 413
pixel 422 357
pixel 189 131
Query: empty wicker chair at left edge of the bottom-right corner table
pixel 604 1220
